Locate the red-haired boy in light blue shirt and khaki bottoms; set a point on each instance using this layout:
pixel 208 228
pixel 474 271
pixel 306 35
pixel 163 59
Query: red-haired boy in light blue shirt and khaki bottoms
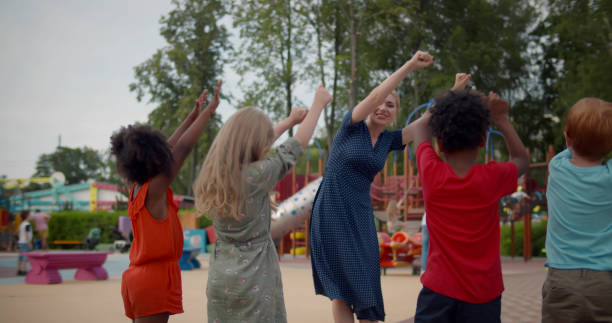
pixel 578 287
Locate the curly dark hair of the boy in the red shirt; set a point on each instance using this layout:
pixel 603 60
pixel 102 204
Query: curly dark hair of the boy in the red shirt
pixel 459 120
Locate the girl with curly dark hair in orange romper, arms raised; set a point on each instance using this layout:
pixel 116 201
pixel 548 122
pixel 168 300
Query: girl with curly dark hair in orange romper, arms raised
pixel 151 286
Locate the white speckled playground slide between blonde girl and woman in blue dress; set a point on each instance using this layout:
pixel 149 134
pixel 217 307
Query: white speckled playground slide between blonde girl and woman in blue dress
pixel 293 211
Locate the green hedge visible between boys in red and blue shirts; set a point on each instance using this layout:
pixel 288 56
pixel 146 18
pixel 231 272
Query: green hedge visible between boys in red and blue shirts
pixel 538 239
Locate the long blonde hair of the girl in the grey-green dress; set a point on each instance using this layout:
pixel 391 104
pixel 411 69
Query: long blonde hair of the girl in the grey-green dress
pixel 244 138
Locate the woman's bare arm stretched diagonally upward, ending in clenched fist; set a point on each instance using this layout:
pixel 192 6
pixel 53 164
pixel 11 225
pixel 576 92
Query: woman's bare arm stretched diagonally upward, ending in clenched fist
pixel 379 94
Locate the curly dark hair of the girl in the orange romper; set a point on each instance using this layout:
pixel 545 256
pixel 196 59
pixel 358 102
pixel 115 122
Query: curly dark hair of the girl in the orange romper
pixel 141 153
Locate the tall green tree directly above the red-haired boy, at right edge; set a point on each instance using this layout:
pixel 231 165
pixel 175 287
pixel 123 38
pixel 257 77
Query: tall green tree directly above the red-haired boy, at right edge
pixel 575 42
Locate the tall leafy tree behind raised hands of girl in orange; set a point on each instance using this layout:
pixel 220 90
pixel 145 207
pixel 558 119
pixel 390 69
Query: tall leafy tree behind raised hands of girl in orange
pixel 175 75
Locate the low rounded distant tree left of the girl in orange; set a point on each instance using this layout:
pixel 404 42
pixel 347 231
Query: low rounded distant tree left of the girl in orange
pixel 78 164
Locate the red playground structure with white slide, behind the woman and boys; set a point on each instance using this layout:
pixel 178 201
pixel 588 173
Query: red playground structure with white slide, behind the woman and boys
pixel 291 217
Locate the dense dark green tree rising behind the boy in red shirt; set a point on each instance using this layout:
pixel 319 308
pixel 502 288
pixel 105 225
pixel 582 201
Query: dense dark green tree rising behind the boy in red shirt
pixel 488 39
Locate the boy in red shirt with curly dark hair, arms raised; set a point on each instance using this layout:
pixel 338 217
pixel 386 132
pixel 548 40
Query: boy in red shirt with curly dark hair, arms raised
pixel 463 280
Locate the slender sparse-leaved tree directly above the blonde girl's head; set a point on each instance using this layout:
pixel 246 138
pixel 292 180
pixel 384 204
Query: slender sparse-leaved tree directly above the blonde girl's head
pixel 272 44
